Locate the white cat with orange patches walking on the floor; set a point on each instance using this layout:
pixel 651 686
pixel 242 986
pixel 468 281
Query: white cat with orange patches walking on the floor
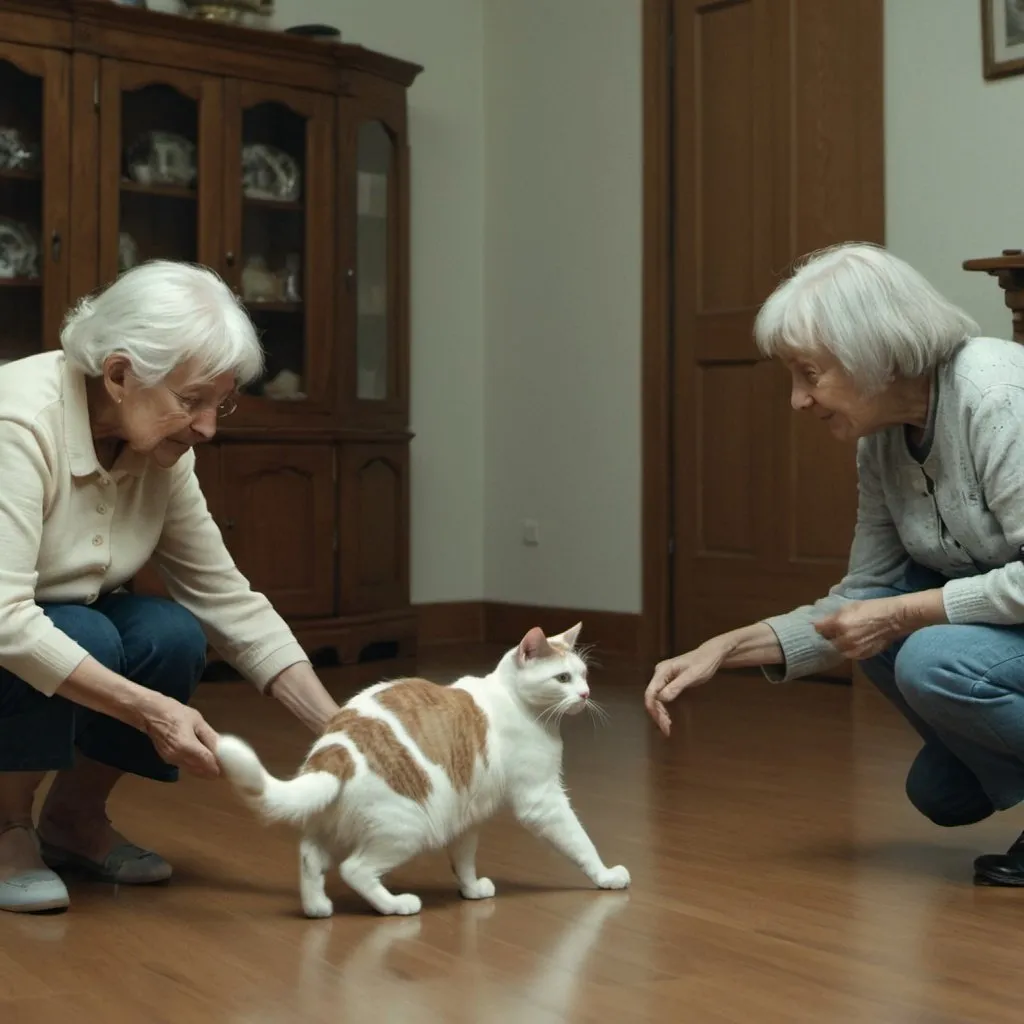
pixel 408 766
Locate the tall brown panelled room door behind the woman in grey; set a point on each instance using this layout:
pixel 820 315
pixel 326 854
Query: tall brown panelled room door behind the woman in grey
pixel 779 152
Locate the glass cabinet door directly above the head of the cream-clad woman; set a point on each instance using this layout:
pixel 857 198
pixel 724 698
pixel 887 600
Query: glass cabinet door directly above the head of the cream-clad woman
pixel 160 157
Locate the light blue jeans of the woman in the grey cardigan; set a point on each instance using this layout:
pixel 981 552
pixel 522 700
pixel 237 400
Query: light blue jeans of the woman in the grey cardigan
pixel 962 688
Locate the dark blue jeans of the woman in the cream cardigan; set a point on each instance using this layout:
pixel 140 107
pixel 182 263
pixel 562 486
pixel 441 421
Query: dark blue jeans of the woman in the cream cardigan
pixel 150 641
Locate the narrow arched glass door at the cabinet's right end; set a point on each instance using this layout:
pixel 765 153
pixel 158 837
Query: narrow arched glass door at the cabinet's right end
pixel 373 260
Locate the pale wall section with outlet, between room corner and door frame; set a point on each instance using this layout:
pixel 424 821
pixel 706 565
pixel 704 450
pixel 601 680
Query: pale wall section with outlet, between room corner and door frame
pixel 564 252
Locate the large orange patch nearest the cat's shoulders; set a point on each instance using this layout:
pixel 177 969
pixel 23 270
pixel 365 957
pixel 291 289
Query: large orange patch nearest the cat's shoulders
pixel 445 722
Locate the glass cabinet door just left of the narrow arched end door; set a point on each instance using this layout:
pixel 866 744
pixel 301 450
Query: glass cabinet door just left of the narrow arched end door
pixel 280 209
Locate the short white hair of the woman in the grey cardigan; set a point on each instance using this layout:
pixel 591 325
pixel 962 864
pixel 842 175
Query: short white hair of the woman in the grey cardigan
pixel 869 310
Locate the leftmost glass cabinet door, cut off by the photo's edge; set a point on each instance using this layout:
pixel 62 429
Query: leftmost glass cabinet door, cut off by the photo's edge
pixel 34 191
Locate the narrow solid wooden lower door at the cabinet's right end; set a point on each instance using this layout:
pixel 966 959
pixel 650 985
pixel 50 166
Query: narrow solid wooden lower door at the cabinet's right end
pixel 374 527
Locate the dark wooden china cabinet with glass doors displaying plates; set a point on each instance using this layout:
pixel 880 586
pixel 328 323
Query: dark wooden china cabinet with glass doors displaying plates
pixel 283 164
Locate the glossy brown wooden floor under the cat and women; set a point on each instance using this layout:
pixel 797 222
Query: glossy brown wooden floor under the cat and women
pixel 779 876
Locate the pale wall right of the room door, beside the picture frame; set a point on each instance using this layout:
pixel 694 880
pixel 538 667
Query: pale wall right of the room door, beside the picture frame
pixel 954 153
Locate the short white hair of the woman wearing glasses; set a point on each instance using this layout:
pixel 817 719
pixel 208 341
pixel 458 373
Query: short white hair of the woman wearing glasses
pixel 160 315
